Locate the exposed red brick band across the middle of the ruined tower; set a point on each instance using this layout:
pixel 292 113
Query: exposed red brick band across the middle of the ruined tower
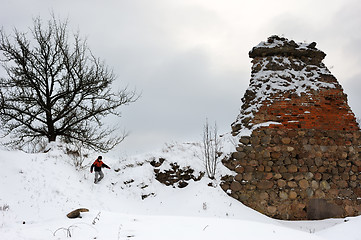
pixel 325 110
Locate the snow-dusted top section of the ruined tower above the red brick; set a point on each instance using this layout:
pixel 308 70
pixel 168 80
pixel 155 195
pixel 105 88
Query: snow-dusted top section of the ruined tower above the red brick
pixel 280 66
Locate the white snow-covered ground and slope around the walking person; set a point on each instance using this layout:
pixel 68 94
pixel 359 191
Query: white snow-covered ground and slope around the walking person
pixel 38 190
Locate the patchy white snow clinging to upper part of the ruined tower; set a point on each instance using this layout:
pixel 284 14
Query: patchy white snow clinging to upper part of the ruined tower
pixel 266 82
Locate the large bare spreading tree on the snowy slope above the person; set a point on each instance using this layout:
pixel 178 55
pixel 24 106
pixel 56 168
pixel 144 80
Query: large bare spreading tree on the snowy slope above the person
pixel 56 88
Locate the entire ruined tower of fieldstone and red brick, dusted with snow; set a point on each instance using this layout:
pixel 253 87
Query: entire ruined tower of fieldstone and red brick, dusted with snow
pixel 298 155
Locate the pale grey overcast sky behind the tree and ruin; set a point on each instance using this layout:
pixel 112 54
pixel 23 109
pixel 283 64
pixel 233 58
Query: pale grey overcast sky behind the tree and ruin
pixel 189 58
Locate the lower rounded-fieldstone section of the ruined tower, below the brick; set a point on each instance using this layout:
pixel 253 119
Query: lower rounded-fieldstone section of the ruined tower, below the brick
pixel 279 170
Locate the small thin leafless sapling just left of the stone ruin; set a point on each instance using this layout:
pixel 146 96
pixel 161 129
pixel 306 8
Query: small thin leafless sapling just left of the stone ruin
pixel 211 149
